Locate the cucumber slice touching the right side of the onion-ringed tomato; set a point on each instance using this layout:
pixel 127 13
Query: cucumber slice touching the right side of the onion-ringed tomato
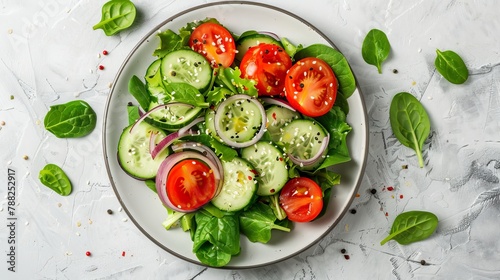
pixel 239 186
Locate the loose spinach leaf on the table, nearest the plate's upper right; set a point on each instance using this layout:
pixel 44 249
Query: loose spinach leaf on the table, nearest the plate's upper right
pixel 376 48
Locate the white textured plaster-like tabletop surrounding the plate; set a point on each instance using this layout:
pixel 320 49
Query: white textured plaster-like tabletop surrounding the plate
pixel 49 54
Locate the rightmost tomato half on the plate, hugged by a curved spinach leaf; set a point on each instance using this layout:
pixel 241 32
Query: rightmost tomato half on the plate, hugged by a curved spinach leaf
pixel 311 87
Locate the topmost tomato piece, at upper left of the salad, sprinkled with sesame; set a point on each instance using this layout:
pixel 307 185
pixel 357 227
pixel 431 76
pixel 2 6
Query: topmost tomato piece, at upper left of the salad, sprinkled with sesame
pixel 215 43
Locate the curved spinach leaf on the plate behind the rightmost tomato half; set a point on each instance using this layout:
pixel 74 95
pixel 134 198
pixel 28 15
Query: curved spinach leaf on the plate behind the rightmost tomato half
pixel 336 60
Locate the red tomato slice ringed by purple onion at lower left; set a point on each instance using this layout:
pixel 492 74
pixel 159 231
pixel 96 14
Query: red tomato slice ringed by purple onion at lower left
pixel 190 184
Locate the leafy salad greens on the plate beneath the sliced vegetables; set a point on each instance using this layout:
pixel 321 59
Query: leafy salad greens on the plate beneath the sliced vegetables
pixel 216 233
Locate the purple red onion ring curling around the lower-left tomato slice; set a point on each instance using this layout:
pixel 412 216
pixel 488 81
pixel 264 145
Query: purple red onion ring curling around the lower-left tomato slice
pixel 168 164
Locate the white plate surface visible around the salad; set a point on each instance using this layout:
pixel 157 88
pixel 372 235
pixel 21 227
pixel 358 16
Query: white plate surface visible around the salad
pixel 144 207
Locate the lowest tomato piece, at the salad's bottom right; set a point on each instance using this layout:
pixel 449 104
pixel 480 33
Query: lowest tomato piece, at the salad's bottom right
pixel 301 199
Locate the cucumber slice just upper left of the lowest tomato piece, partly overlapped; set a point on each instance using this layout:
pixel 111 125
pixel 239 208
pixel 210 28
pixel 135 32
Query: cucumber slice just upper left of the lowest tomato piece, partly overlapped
pixel 270 165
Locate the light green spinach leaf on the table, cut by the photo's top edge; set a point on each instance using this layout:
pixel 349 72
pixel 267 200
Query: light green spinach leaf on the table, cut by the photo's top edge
pixel 117 15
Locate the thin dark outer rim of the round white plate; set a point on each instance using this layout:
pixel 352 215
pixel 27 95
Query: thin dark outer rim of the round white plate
pixel 112 90
